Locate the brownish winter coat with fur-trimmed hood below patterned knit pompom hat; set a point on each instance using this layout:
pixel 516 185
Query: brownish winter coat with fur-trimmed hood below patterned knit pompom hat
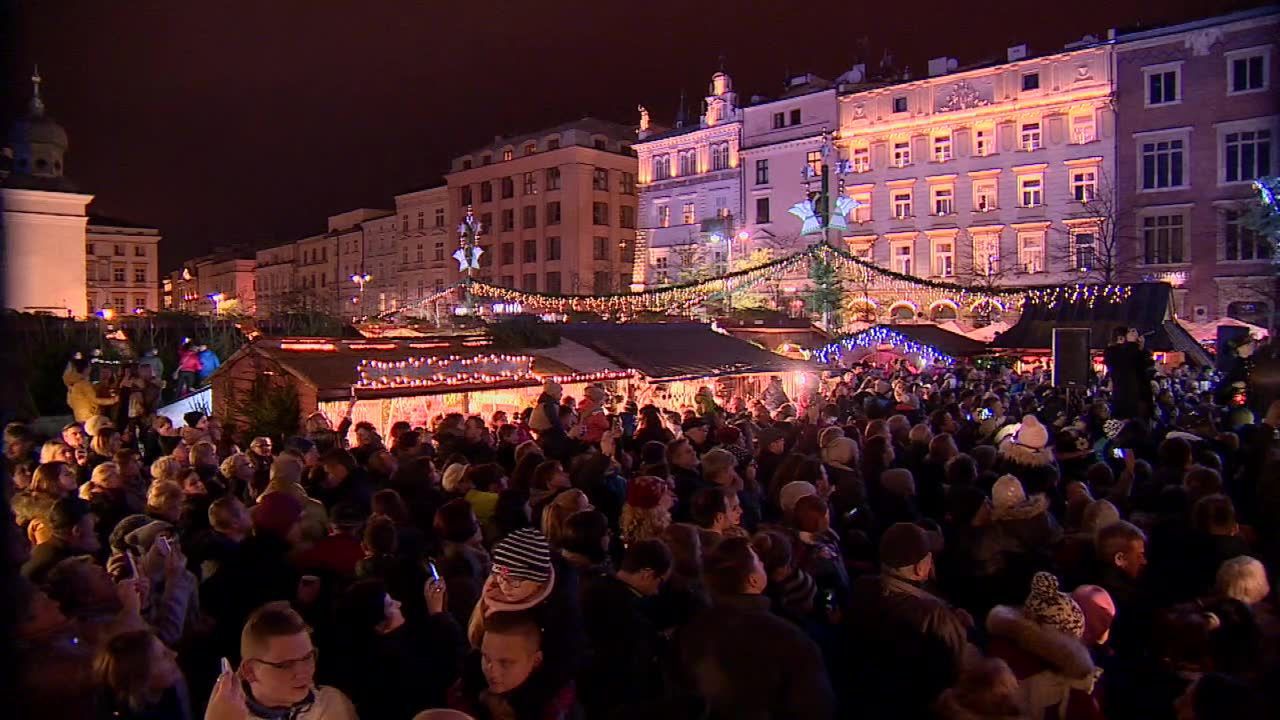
pixel 1055 675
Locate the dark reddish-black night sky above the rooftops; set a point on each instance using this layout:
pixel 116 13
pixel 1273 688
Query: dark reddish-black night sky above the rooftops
pixel 250 121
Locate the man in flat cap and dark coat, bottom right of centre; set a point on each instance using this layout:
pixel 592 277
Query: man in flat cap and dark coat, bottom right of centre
pixel 909 642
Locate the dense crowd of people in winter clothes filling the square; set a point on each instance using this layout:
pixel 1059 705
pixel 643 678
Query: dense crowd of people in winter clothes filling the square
pixel 956 544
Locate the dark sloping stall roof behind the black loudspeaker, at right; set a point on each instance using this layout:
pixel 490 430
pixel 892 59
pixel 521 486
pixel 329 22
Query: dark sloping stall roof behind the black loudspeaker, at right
pixel 1146 307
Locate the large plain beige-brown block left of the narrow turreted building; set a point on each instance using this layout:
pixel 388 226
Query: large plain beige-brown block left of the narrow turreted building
pixel 559 208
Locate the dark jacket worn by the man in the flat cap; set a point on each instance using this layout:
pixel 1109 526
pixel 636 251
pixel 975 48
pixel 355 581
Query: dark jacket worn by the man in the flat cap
pixel 909 642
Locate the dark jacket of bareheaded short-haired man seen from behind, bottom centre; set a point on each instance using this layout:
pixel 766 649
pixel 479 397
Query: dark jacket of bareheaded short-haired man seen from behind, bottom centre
pixel 749 664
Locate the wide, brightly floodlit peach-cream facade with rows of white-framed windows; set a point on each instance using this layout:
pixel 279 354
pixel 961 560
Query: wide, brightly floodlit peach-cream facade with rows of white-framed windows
pixel 990 176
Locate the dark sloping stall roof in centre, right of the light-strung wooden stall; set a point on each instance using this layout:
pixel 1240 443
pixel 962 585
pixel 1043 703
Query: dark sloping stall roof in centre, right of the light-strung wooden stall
pixel 666 352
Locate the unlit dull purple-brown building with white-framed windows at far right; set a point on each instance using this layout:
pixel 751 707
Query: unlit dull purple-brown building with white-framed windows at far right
pixel 1199 122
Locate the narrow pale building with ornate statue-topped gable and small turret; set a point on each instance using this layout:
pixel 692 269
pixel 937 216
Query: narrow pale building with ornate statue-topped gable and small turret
pixel 691 192
